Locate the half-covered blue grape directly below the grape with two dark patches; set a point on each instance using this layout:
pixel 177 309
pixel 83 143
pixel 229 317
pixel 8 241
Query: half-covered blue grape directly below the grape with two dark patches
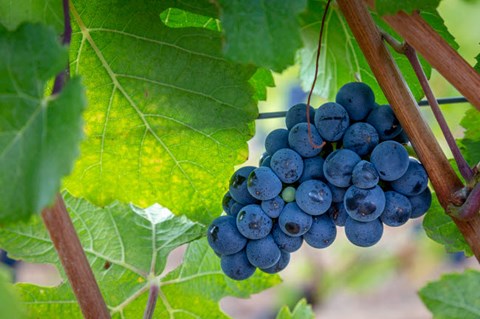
pixel 363 234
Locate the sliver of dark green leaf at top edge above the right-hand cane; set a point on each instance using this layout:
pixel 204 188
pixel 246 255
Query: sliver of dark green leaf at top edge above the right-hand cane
pixel 388 7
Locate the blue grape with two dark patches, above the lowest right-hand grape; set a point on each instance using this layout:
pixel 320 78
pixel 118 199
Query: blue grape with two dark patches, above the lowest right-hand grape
pixel 364 205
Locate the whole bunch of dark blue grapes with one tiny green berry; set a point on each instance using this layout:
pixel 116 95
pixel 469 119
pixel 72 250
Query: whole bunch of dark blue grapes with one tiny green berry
pixel 361 178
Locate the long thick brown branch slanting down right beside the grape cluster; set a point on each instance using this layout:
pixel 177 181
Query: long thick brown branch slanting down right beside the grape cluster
pixel 443 178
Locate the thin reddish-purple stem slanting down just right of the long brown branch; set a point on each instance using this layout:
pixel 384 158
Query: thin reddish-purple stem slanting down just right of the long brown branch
pixel 412 57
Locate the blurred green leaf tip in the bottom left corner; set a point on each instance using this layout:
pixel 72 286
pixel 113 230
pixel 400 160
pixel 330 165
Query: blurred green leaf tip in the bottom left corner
pixel 9 299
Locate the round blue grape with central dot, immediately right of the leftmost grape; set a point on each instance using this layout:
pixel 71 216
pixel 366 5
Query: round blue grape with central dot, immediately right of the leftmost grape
pixel 253 223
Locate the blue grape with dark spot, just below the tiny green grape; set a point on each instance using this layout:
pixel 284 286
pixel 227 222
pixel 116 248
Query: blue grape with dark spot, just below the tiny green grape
pixel 293 221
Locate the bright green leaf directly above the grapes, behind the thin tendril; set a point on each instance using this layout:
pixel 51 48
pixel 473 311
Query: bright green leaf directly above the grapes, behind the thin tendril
pixel 341 60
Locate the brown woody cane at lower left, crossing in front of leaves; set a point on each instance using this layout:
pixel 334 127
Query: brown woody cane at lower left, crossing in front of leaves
pixel 74 261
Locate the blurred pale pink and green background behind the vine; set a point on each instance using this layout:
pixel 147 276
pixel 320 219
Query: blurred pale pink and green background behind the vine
pixel 344 281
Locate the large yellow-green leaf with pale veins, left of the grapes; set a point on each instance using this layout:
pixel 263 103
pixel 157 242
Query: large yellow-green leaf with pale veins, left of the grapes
pixel 169 115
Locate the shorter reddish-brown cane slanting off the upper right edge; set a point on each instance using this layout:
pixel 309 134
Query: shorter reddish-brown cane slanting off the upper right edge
pixel 421 36
